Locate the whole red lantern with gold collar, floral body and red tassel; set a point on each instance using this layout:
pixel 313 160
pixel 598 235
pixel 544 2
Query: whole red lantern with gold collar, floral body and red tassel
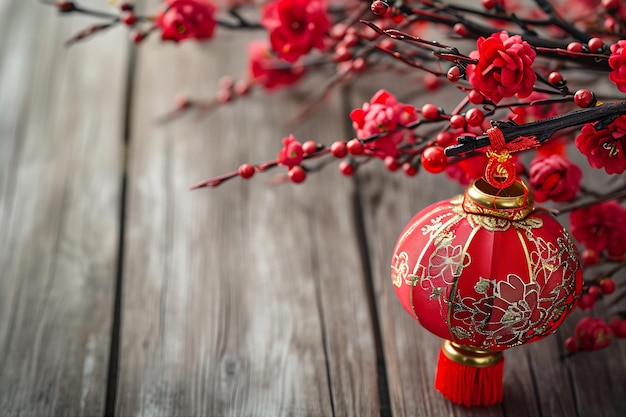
pixel 486 271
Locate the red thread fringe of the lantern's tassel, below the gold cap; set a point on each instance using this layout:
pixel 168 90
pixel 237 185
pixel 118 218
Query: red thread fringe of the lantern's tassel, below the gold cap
pixel 469 385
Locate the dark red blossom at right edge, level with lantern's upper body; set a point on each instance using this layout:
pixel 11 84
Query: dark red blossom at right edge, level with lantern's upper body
pixel 601 227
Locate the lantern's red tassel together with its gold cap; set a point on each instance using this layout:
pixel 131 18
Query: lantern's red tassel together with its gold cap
pixel 469 376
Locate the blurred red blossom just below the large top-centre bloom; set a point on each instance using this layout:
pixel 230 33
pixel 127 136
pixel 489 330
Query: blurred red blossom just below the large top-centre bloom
pixel 269 71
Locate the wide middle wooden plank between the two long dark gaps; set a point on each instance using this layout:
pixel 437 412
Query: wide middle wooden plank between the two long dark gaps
pixel 248 299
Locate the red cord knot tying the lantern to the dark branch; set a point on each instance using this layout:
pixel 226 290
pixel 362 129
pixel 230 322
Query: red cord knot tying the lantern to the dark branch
pixel 500 171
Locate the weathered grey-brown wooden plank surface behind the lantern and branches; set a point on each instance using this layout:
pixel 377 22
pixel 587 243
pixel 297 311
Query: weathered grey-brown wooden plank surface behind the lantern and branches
pixel 122 293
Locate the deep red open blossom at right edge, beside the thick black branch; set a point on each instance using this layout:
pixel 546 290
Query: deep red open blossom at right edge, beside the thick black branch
pixel 605 147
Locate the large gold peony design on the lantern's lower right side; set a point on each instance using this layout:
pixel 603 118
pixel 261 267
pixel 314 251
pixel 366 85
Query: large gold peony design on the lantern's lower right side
pixel 512 312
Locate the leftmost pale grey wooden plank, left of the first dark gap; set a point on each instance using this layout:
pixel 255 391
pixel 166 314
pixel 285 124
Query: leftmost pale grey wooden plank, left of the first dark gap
pixel 60 157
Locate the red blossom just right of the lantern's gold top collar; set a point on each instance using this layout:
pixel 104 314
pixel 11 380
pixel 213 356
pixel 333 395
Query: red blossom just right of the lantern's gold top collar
pixel 554 178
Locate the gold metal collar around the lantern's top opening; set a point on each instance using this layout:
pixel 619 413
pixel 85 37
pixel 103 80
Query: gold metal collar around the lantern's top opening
pixel 511 203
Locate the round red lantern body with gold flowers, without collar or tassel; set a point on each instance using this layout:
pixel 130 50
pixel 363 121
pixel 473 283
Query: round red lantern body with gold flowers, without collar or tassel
pixel 485 281
